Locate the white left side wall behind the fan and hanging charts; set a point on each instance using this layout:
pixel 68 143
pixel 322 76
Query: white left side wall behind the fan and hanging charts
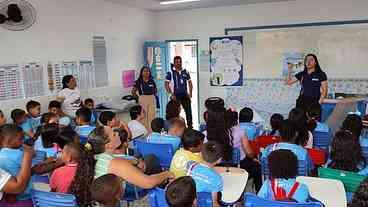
pixel 64 31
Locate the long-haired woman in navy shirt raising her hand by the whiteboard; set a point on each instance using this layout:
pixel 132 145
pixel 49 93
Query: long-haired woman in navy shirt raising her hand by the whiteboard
pixel 313 81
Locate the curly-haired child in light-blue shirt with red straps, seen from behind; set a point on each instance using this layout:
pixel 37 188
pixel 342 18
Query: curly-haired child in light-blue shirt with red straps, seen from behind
pixel 282 185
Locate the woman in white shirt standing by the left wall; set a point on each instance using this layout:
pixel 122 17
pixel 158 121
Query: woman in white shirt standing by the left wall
pixel 69 96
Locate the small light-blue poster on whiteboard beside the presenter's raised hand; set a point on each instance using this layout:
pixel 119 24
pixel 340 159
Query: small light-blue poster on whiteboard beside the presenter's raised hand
pixel 293 61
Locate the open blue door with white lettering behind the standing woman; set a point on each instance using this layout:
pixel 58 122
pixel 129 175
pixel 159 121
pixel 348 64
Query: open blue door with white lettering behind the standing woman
pixel 157 59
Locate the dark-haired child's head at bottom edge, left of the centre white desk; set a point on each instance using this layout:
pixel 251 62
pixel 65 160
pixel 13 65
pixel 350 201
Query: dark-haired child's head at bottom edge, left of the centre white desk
pixel 181 192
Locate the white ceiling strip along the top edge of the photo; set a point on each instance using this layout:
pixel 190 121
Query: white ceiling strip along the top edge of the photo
pixel 154 5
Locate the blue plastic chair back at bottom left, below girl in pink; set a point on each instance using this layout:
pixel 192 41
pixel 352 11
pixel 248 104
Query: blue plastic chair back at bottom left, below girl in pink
pixel 47 199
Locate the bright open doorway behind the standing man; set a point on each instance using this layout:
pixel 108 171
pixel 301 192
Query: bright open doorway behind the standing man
pixel 188 51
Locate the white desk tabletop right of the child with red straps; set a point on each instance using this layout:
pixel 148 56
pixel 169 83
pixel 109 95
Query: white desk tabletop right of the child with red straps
pixel 330 192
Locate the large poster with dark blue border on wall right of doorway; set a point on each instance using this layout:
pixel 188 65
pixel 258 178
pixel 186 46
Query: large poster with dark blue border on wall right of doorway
pixel 226 61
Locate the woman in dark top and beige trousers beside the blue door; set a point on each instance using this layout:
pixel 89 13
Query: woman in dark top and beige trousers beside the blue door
pixel 145 88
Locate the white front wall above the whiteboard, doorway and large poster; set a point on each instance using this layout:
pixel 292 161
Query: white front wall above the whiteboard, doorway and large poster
pixel 204 23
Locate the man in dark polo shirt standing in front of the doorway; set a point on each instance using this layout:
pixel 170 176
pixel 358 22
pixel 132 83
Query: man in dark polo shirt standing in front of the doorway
pixel 179 78
